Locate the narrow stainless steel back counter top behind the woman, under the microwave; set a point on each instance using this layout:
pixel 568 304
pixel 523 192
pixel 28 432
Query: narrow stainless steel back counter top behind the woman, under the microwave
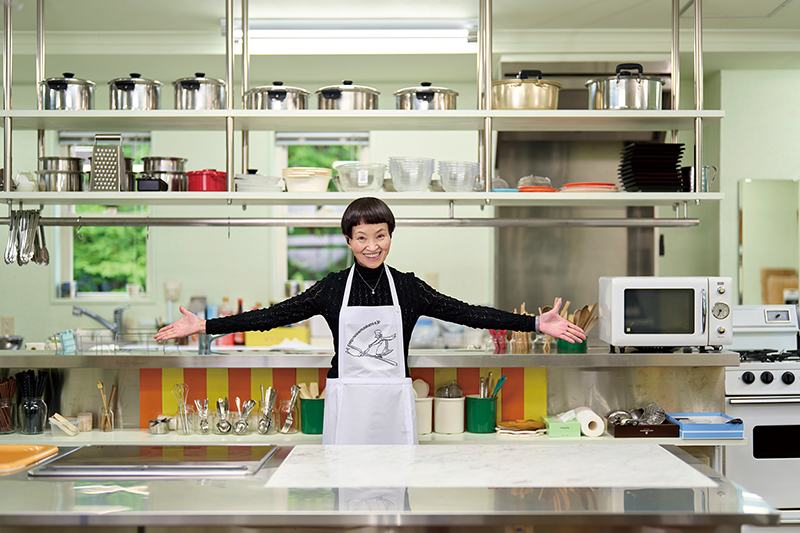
pixel 186 358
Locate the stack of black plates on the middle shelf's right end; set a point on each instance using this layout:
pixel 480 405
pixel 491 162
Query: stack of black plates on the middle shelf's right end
pixel 652 167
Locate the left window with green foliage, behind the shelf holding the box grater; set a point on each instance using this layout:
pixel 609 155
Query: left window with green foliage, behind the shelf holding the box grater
pixel 103 262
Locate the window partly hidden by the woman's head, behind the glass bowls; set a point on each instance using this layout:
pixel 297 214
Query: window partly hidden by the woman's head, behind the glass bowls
pixel 312 253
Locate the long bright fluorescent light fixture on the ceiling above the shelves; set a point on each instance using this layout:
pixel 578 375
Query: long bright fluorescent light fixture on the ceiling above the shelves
pixel 359 36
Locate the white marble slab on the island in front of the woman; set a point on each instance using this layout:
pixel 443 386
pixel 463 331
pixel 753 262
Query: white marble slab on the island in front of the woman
pixel 568 465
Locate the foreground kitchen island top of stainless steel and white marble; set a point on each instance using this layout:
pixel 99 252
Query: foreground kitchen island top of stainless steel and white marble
pixel 409 488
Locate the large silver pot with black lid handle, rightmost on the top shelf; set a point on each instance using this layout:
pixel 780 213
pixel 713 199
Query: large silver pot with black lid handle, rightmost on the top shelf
pixel 626 90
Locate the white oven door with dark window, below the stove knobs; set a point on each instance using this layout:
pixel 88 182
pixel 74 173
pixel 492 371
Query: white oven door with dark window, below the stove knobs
pixel 769 464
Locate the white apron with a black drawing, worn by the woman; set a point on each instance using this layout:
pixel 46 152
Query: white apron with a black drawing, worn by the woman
pixel 372 400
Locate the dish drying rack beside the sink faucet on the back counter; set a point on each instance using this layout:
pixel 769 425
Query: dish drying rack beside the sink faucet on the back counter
pixel 103 342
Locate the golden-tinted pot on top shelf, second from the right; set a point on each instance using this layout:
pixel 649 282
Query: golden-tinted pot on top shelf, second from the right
pixel 527 91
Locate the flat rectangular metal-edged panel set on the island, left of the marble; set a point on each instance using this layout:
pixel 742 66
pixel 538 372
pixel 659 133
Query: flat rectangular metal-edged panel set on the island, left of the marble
pixel 157 461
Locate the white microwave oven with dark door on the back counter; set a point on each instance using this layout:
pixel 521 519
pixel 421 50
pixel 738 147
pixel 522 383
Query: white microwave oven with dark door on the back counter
pixel 664 312
